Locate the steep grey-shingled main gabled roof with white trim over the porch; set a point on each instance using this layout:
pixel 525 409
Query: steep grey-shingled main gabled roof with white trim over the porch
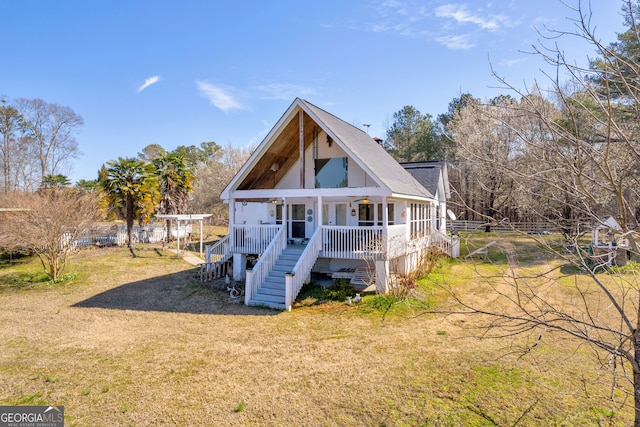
pixel 358 145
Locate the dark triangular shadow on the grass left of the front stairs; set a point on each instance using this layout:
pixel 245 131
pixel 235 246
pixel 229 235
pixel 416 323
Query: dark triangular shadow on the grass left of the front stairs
pixel 172 293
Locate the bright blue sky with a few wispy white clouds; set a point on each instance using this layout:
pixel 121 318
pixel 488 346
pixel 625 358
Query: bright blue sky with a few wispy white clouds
pixel 183 72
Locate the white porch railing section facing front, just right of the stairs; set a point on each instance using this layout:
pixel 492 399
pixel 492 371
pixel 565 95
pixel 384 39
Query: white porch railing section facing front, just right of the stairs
pixel 351 242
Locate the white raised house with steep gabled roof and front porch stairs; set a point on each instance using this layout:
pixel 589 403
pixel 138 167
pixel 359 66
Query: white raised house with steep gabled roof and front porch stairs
pixel 319 194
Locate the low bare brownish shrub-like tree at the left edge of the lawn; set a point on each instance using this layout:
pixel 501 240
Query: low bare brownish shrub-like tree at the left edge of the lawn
pixel 48 223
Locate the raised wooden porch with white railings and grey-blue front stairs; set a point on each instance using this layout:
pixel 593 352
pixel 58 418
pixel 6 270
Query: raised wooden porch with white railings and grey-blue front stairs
pixel 269 242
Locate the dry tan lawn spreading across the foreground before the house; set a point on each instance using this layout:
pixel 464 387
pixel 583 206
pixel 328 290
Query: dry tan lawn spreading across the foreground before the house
pixel 137 341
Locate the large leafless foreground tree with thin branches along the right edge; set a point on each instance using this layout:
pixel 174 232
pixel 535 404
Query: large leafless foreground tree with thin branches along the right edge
pixel 580 171
